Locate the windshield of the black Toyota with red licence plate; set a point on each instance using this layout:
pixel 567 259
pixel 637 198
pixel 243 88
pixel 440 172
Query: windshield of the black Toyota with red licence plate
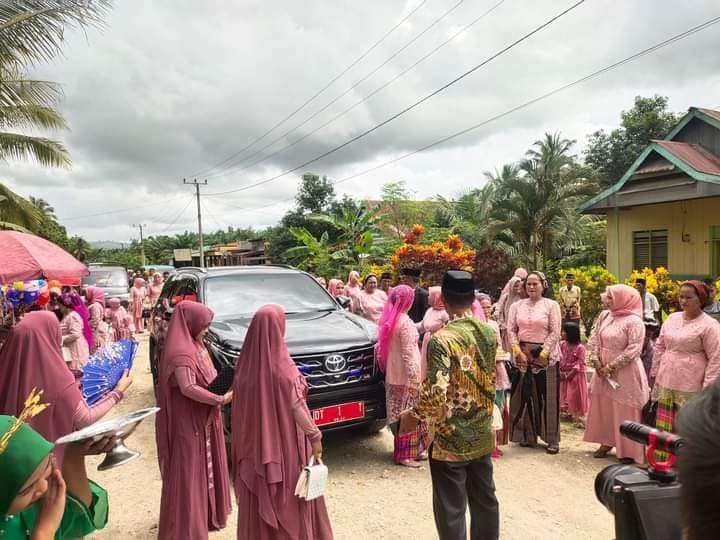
pixel 242 295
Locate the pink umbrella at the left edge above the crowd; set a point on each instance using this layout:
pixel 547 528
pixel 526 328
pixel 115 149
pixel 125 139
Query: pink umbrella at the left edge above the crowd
pixel 26 256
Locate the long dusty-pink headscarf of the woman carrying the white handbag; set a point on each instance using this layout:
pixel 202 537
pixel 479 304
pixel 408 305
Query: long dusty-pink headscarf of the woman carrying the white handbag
pixel 264 453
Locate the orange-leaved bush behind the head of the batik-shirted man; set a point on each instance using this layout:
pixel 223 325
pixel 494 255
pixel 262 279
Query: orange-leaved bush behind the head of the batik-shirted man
pixel 432 259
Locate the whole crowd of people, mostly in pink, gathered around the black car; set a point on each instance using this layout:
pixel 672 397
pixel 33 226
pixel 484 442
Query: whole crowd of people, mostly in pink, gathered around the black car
pixel 464 375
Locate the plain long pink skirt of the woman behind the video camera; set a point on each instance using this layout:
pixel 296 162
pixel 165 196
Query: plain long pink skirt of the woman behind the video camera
pixel 603 427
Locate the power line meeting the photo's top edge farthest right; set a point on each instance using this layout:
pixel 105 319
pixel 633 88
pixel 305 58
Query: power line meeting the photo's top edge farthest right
pixel 408 108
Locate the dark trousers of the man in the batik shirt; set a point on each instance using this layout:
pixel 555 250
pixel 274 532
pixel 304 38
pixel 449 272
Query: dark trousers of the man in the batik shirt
pixel 457 484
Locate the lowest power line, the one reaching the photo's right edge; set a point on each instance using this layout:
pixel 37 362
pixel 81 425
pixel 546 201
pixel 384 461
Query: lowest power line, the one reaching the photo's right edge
pixel 593 75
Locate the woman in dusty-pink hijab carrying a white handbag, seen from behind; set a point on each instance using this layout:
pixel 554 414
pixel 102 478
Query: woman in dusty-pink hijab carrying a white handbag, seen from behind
pixel 273 438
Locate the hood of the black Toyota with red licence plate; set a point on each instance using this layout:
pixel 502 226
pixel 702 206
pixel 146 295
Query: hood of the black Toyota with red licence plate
pixel 306 333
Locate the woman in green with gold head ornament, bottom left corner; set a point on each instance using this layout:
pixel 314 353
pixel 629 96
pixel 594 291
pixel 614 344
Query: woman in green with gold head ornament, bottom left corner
pixel 39 501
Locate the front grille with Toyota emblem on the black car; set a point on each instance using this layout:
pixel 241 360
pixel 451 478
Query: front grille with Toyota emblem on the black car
pixel 359 367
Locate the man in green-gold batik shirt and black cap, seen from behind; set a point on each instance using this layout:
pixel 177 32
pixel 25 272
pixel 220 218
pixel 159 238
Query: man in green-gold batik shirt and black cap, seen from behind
pixel 456 401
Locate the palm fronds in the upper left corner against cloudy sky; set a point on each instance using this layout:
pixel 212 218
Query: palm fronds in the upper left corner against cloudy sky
pixel 32 31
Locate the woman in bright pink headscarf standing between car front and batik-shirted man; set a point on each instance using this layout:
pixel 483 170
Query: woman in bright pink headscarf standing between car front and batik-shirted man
pixel 399 358
